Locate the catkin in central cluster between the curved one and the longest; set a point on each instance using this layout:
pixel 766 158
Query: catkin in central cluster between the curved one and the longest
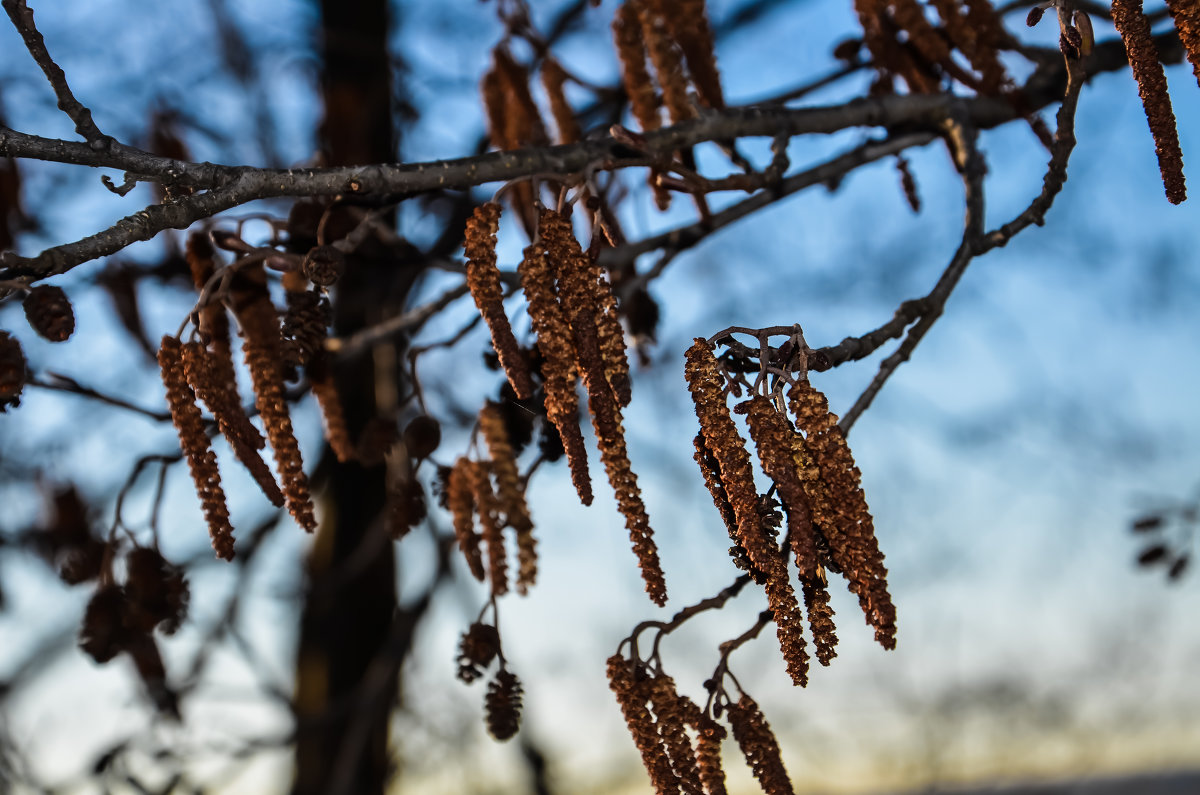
pixel 559 363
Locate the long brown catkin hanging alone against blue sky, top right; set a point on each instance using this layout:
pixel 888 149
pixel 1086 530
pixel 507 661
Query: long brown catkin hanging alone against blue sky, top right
pixel 1135 29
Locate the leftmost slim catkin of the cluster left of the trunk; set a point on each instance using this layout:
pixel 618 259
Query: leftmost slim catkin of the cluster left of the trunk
pixel 195 443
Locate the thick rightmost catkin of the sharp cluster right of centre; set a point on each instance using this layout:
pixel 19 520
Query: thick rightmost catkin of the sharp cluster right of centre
pixel 841 510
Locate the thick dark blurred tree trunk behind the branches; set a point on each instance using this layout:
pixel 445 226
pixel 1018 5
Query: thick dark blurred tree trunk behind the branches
pixel 351 605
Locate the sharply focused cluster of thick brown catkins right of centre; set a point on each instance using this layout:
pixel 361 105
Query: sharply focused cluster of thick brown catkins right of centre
pixel 830 527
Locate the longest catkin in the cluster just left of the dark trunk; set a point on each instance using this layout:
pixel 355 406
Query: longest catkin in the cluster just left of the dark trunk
pixel 261 330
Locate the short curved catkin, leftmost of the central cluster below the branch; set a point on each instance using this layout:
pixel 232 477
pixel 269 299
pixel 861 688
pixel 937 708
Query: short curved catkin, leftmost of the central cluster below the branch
pixel 484 280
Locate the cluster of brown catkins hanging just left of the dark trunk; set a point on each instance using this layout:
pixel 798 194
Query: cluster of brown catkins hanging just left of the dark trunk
pixel 275 350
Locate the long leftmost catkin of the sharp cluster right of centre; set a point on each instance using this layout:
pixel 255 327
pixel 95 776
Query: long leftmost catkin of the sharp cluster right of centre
pixel 707 387
